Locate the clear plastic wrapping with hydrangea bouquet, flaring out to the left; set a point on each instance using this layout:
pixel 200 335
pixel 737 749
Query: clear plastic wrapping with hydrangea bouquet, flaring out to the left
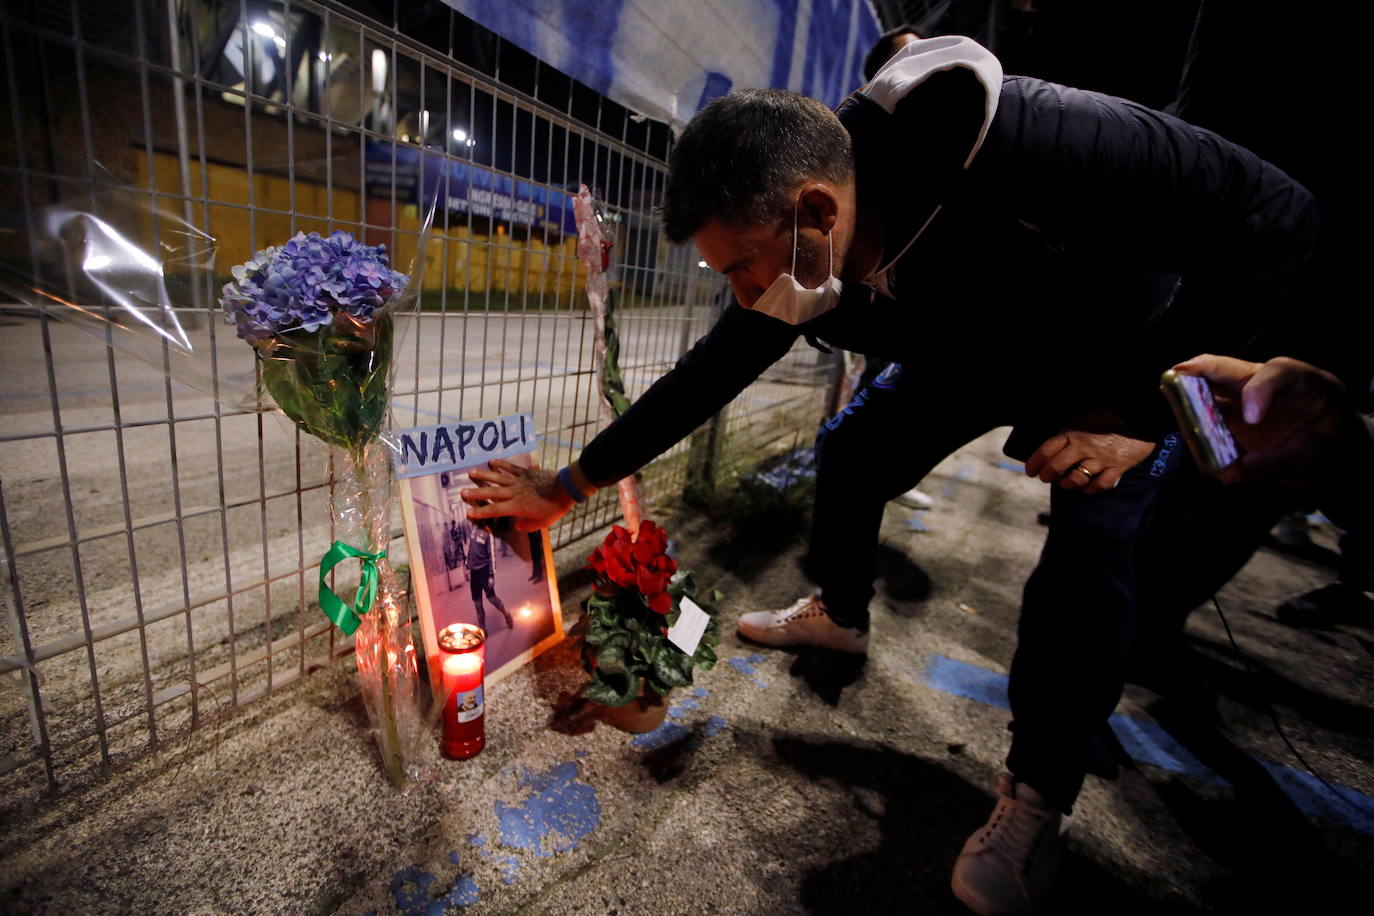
pixel 318 311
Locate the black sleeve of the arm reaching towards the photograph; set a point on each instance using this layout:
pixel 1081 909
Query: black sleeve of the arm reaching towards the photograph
pixel 707 378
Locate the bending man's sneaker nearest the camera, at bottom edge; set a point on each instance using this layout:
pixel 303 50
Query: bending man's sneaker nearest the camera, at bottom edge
pixel 1009 865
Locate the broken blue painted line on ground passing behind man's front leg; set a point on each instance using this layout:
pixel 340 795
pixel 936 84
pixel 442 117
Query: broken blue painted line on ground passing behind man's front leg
pixel 1149 744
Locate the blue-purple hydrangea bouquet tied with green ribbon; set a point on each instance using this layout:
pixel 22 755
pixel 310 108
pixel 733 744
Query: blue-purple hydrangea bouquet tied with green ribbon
pixel 319 312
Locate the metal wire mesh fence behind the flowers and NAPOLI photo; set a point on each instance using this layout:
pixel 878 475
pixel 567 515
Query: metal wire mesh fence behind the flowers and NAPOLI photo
pixel 159 545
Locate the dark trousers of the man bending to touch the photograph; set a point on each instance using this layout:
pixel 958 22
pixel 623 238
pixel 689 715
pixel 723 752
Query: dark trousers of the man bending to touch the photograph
pixel 1078 612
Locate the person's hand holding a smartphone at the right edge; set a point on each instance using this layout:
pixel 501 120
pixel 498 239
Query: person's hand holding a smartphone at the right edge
pixel 1289 418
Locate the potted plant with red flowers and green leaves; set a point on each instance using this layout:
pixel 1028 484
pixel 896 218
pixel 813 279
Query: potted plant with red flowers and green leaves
pixel 638 599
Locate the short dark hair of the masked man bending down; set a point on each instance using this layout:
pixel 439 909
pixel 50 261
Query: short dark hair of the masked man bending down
pixel 741 159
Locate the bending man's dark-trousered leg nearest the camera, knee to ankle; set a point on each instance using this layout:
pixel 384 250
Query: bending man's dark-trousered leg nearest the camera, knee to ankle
pixel 1077 627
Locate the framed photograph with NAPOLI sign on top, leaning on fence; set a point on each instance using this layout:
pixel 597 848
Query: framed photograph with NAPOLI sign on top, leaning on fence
pixel 475 571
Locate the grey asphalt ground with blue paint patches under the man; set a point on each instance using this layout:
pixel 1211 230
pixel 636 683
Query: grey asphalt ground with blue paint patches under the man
pixel 784 782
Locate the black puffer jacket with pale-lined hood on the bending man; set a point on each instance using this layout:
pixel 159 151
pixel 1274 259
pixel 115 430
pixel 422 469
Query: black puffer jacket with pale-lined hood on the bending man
pixel 1088 247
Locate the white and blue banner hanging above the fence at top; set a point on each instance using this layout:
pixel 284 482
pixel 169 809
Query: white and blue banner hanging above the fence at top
pixel 668 58
